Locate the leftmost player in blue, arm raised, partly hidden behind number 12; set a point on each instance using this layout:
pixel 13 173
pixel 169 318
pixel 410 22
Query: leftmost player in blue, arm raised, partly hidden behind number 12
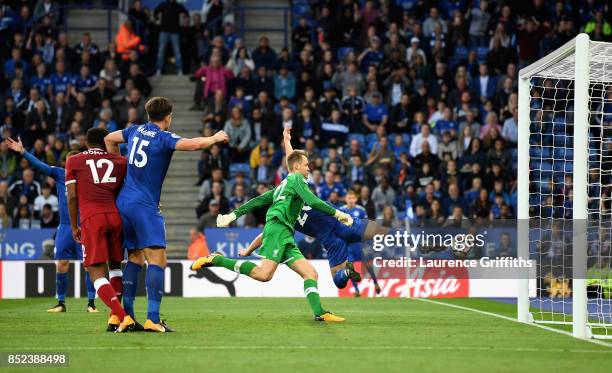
pixel 65 247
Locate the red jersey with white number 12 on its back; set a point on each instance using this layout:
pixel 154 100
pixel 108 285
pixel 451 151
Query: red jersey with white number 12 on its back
pixel 99 177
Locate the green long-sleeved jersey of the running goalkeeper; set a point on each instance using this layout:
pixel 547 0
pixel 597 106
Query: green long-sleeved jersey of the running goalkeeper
pixel 286 201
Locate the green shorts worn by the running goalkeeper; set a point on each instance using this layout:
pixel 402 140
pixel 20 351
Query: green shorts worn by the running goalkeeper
pixel 279 244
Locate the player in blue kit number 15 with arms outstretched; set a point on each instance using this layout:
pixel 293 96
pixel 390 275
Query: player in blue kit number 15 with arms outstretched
pixel 150 148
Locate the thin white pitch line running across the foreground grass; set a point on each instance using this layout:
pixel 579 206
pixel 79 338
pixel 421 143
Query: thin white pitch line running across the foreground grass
pixel 303 347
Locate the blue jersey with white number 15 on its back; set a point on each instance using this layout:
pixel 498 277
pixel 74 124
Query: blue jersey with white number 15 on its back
pixel 149 151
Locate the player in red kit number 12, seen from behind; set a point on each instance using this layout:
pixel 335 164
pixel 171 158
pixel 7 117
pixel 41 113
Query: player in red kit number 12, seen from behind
pixel 93 180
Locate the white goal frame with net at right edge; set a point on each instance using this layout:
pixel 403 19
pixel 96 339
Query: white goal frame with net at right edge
pixel 565 199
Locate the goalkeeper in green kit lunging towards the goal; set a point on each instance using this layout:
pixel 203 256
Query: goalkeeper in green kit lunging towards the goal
pixel 278 245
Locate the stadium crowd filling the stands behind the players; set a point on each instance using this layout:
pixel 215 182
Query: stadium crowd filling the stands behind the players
pixel 411 104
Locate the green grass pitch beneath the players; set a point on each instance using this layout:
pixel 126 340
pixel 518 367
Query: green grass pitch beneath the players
pixel 269 335
